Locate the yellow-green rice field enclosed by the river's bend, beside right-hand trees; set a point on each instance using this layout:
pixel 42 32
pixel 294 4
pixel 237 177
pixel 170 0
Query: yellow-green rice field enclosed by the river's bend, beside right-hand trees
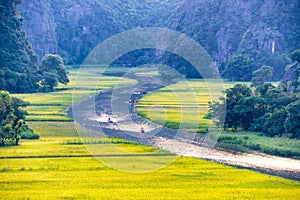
pixel 184 104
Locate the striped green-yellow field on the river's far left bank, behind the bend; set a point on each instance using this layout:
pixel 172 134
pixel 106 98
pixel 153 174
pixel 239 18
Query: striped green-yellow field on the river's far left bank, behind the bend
pixel 52 106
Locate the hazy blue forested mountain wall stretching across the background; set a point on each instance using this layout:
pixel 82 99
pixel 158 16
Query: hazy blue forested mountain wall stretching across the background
pixel 240 35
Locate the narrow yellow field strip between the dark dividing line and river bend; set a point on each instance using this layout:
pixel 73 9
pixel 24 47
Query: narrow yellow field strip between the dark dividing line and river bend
pixel 74 146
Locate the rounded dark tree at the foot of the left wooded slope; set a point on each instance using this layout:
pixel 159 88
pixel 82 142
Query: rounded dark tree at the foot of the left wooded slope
pixel 53 71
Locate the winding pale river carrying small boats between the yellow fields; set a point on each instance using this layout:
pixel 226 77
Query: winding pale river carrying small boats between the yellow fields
pixel 128 127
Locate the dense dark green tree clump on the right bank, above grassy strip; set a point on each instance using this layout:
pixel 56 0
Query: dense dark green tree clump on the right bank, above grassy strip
pixel 262 107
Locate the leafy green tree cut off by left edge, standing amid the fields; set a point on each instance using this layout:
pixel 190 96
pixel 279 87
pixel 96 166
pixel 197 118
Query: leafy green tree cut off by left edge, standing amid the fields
pixel 12 118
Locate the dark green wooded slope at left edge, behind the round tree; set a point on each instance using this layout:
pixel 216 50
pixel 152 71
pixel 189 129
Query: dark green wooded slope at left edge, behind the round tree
pixel 17 60
